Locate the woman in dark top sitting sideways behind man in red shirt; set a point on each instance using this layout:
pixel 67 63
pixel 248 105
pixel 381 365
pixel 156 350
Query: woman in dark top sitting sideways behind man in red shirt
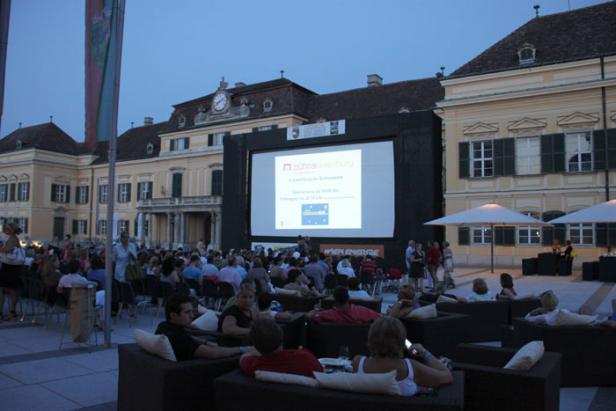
pixel 234 322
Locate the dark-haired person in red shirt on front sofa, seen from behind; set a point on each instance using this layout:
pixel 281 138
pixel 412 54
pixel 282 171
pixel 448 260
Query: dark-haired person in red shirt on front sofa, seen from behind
pixel 266 336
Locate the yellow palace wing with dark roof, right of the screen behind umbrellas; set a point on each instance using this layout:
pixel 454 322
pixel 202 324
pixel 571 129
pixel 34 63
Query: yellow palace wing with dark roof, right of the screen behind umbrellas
pixel 530 123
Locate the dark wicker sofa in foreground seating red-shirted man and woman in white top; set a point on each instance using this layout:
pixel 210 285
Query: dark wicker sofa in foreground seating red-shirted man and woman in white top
pixel 257 395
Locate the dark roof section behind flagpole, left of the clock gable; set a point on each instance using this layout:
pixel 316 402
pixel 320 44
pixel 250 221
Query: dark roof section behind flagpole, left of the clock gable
pixel 132 144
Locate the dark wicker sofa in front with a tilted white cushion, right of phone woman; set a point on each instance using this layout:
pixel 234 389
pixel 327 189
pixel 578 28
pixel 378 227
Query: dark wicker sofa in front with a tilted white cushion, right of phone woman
pixel 488 386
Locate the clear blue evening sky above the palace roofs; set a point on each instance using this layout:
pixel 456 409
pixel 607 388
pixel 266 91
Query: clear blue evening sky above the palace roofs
pixel 178 50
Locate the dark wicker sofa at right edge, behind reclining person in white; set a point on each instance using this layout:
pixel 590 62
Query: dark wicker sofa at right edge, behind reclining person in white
pixel 588 355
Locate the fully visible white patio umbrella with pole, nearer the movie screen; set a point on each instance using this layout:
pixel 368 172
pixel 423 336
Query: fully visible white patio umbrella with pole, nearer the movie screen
pixel 489 214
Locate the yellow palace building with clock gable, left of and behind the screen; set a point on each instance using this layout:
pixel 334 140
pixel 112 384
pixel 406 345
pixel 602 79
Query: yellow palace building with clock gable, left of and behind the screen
pixel 169 175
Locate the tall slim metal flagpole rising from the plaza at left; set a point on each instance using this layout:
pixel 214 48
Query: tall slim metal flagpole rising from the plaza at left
pixel 117 27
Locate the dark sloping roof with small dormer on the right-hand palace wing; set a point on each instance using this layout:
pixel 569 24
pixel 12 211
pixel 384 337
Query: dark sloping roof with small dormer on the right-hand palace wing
pixel 573 35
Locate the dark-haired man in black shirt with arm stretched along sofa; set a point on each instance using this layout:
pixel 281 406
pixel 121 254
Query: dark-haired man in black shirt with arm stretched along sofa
pixel 179 315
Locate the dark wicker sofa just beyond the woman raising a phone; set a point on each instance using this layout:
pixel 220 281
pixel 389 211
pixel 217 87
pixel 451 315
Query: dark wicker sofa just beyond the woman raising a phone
pixel 440 335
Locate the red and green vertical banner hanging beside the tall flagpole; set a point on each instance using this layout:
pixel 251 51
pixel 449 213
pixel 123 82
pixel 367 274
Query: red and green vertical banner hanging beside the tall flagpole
pixel 104 27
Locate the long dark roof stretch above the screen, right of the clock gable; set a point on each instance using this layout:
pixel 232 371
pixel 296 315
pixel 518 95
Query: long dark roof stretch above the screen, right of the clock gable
pixel 412 95
